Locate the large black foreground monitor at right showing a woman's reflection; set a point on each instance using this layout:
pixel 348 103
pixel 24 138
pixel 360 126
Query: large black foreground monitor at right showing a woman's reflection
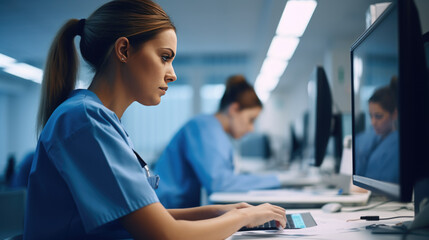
pixel 388 62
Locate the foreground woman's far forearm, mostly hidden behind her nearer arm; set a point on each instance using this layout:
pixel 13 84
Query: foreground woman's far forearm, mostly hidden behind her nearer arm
pixel 204 212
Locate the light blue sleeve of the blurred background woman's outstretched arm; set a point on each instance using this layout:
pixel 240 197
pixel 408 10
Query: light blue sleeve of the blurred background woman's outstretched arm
pixel 210 154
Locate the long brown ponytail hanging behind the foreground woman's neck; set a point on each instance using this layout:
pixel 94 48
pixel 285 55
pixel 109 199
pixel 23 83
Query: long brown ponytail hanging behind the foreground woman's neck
pixel 59 77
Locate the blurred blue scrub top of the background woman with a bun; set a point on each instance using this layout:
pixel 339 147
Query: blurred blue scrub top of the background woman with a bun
pixel 201 155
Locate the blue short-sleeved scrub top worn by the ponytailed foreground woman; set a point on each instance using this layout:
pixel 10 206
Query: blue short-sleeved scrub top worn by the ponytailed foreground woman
pixel 85 175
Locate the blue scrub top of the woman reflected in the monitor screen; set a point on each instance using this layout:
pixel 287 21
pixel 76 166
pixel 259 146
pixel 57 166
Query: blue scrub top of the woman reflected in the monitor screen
pixel 378 158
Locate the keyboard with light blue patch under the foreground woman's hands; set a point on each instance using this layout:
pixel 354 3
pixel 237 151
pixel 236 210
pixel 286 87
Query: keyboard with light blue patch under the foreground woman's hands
pixel 293 221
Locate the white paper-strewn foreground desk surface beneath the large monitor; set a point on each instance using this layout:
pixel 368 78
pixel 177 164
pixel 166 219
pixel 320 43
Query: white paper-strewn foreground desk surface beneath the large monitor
pixel 335 225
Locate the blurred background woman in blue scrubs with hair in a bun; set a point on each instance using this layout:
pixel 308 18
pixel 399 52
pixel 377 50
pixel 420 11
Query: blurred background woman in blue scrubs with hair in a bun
pixel 201 153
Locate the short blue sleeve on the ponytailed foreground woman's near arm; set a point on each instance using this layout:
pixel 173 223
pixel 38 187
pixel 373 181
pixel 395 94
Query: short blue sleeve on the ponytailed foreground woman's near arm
pixel 102 173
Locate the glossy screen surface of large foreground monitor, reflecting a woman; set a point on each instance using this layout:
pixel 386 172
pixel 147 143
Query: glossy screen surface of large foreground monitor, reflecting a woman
pixel 375 74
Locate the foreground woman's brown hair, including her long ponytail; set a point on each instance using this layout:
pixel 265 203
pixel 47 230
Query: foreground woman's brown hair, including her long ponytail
pixel 138 20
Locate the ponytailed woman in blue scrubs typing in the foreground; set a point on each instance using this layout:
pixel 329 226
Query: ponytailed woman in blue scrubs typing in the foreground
pixel 86 181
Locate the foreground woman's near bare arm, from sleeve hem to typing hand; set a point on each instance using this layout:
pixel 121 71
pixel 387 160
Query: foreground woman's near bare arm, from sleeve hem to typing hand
pixel 155 222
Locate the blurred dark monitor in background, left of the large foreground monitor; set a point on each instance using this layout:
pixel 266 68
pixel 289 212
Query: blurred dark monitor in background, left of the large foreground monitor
pixel 323 123
